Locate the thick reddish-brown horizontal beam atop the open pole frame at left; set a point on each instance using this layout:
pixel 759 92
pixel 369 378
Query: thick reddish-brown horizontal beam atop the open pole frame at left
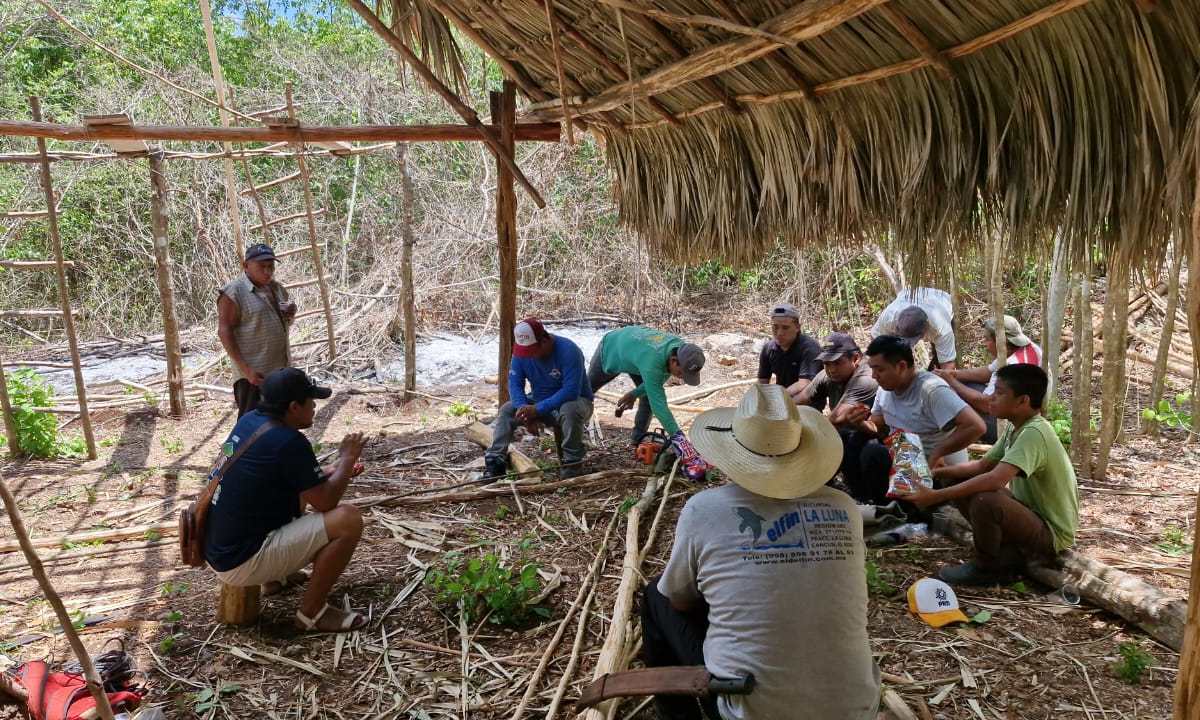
pixel 542 133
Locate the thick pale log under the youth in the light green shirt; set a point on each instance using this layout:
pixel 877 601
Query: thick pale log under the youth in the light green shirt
pixel 1103 586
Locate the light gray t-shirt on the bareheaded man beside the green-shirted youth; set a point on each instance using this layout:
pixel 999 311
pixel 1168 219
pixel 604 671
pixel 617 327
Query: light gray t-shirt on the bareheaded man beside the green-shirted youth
pixel 928 407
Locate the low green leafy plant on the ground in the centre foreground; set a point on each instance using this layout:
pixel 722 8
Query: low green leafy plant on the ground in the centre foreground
pixel 485 586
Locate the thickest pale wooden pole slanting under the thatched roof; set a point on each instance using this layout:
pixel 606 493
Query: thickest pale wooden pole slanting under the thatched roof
pixel 802 22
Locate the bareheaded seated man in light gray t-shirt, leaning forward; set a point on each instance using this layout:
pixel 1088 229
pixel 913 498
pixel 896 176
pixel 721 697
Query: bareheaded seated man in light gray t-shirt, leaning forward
pixel 914 401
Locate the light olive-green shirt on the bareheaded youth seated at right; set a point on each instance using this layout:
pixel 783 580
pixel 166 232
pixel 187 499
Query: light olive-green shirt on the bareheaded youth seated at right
pixel 1046 482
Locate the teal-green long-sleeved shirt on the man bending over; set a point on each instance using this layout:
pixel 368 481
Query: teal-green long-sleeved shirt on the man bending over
pixel 644 352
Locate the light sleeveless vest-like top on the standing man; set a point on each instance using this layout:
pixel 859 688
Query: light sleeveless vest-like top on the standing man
pixel 261 333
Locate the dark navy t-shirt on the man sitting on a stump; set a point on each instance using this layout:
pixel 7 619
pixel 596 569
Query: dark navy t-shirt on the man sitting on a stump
pixel 260 494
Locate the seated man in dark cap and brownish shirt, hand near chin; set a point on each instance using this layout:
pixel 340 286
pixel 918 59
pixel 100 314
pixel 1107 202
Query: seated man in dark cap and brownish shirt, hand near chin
pixel 844 383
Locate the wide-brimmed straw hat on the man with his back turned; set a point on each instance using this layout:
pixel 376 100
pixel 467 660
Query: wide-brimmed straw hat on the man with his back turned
pixel 770 446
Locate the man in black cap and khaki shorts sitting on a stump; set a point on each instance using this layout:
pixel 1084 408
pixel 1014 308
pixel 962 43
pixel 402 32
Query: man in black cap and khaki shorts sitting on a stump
pixel 257 531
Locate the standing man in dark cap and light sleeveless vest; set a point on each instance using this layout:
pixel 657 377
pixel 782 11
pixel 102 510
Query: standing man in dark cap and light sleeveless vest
pixel 254 316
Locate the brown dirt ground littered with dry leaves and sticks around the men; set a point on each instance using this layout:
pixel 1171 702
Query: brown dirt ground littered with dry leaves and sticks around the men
pixel 1035 657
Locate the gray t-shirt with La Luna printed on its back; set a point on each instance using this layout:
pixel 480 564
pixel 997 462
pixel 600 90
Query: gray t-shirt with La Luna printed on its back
pixel 787 593
